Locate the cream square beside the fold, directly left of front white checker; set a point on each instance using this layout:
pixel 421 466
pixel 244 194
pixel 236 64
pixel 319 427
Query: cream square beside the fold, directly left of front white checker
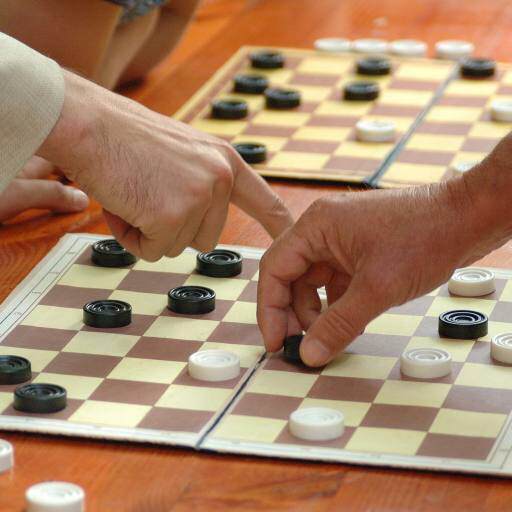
pixel 249 428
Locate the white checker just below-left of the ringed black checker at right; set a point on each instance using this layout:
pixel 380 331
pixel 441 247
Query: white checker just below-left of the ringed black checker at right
pixel 426 363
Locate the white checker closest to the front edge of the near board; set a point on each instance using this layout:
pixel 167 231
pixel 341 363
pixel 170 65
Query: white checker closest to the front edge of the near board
pixel 316 423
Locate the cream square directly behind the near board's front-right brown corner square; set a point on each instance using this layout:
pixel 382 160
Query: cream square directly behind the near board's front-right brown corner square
pixel 466 423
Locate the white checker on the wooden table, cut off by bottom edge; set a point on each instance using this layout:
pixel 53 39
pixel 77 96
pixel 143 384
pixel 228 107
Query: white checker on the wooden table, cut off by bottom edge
pixel 55 496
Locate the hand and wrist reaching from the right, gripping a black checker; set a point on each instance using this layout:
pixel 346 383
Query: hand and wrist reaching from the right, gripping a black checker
pixel 376 250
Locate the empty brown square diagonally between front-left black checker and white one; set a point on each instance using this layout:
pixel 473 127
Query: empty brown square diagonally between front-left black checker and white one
pixel 128 392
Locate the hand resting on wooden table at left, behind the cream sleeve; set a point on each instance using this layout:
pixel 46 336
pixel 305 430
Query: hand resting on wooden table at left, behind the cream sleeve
pixel 31 189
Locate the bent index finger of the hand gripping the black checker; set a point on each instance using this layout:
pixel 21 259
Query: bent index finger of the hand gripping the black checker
pixel 283 263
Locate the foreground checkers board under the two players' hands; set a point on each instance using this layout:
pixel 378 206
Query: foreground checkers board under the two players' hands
pixel 132 384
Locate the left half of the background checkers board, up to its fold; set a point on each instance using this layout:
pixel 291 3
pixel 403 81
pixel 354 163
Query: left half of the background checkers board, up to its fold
pixel 317 139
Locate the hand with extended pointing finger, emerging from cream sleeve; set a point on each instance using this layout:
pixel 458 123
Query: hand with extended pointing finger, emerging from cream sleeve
pixel 164 185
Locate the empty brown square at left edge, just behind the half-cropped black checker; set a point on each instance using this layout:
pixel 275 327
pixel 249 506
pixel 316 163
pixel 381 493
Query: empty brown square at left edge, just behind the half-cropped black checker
pixel 40 338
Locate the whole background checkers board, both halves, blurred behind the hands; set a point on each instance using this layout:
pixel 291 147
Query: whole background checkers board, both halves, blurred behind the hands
pixel 439 117
